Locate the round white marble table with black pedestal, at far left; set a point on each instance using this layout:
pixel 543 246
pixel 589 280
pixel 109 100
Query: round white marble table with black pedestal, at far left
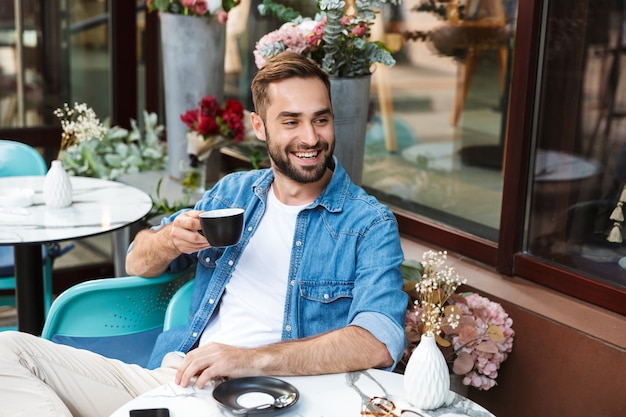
pixel 98 206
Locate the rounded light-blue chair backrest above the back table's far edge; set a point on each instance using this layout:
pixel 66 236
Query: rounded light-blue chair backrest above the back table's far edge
pixel 18 158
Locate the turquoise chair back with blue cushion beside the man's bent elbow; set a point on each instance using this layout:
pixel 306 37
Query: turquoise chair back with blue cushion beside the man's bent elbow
pixel 117 317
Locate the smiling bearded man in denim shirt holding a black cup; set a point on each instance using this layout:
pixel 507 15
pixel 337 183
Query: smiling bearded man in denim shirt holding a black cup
pixel 314 285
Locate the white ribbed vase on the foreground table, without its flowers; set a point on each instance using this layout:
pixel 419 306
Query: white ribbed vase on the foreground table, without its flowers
pixel 426 377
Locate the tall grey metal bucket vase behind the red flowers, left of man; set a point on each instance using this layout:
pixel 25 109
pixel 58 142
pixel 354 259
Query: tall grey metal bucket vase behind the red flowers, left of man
pixel 193 67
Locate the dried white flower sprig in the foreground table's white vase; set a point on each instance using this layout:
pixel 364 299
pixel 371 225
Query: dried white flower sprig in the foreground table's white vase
pixel 438 283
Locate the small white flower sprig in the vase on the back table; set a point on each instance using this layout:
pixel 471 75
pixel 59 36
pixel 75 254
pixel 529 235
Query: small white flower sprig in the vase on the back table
pixel 79 123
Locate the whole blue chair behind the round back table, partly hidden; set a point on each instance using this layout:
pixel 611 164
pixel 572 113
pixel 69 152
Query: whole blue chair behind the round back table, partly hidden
pixel 17 159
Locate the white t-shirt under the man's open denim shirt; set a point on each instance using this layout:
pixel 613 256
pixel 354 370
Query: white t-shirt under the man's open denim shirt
pixel 251 310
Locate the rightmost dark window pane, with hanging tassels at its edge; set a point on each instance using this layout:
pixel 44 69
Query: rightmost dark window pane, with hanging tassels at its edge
pixel 580 156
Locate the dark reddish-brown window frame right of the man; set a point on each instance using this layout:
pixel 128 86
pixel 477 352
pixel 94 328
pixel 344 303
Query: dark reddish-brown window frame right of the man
pixel 507 255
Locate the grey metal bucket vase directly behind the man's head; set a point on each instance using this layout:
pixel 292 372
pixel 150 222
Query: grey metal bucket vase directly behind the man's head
pixel 351 98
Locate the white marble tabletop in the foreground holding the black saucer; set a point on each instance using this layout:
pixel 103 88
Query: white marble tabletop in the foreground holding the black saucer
pixel 335 395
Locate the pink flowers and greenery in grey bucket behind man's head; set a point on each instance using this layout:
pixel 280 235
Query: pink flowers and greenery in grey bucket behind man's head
pixel 339 38
